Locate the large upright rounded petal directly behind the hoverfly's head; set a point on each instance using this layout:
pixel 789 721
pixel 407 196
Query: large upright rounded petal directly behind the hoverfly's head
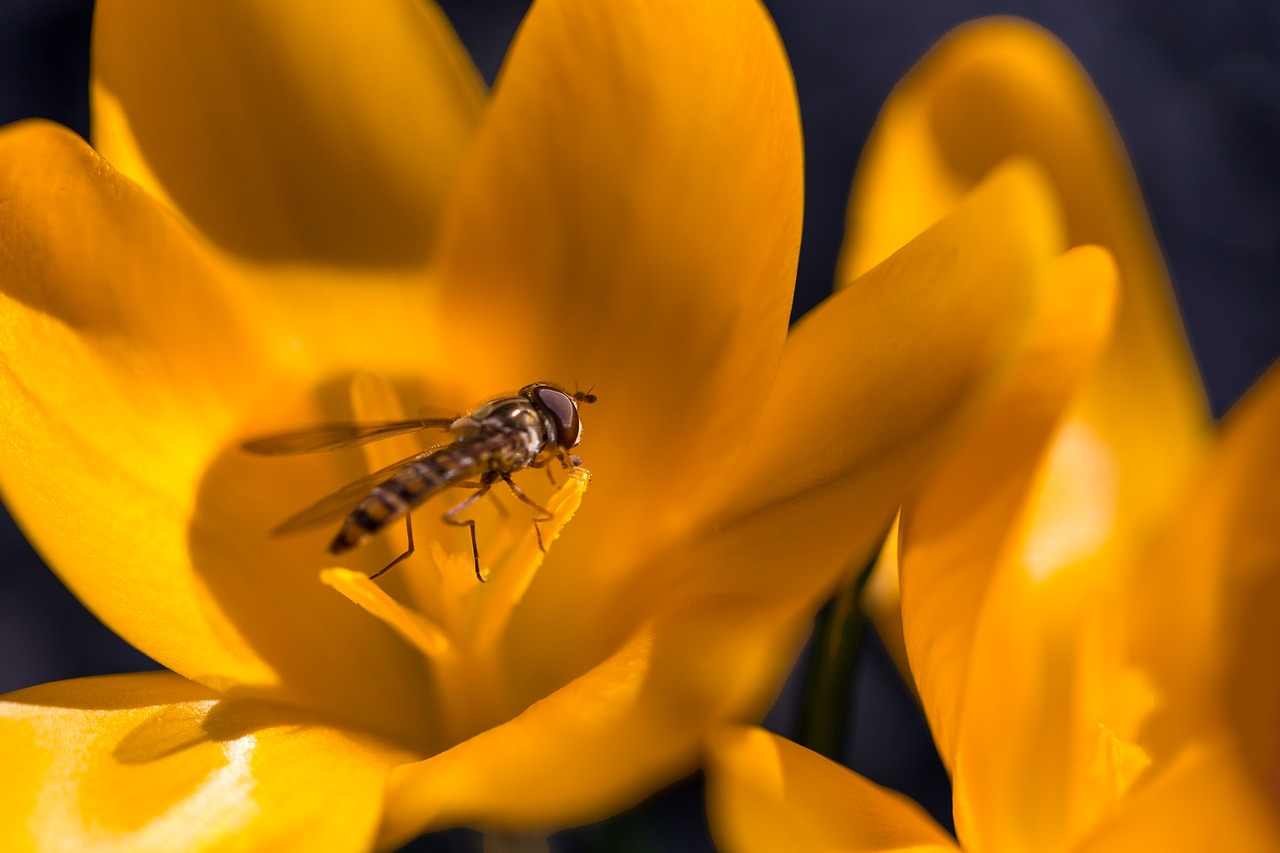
pixel 630 218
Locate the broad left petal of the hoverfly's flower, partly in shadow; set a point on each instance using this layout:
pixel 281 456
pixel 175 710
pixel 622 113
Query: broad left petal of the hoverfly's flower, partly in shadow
pixel 127 371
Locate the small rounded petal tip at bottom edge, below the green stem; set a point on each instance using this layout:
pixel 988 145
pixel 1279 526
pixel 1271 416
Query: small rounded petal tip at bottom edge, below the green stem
pixel 766 793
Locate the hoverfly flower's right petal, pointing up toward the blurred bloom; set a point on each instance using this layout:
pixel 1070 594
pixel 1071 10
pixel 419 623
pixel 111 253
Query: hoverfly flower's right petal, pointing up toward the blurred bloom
pixel 874 371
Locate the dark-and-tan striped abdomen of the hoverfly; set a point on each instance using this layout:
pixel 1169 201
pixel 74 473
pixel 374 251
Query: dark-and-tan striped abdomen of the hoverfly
pixel 405 490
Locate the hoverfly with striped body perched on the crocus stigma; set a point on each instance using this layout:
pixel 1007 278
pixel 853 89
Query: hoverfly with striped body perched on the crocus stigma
pixel 491 444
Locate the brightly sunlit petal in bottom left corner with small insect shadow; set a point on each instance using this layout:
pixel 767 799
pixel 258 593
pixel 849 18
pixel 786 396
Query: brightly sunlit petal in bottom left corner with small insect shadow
pixel 154 763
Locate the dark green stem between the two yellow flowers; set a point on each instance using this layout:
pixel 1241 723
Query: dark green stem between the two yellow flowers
pixel 828 688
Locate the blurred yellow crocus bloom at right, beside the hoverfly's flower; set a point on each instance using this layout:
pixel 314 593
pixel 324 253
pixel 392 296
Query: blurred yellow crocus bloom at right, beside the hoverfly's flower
pixel 1091 646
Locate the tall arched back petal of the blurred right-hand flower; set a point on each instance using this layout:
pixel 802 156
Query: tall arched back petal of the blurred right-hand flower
pixel 1003 88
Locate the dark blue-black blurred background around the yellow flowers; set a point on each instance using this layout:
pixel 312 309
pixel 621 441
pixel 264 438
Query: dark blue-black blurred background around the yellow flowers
pixel 1195 88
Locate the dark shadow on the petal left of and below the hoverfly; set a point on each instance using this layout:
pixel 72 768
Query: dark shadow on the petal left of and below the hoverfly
pixel 326 654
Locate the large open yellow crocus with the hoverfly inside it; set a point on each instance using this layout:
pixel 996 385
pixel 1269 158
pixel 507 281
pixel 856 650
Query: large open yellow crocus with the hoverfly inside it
pixel 295 217
